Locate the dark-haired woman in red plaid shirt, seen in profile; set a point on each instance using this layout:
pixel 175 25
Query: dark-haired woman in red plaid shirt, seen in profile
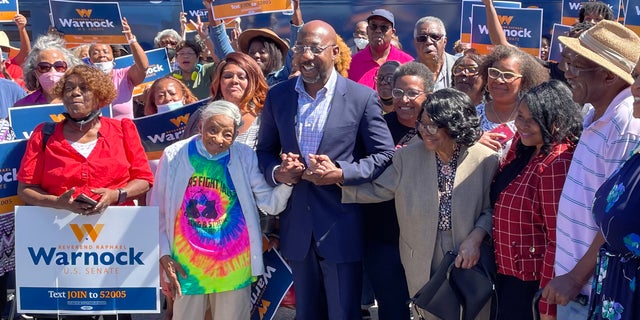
pixel 525 193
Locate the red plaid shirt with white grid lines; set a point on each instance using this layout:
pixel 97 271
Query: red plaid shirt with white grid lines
pixel 524 219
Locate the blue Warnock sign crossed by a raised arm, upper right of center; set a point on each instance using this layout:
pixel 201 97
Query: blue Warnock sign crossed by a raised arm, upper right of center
pixel 522 27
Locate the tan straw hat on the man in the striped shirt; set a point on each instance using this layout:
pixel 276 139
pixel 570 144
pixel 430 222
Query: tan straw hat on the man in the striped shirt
pixel 609 44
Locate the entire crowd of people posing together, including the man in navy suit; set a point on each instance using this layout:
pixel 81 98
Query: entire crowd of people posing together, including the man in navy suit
pixel 365 166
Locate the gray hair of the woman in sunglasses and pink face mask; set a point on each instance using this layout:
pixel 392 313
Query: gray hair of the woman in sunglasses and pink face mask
pixel 46 42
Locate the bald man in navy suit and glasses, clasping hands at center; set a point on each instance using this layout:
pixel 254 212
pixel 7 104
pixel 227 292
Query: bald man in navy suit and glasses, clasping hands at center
pixel 322 113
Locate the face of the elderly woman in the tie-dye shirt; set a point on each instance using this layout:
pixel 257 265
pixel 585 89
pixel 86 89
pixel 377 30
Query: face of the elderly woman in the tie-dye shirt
pixel 218 133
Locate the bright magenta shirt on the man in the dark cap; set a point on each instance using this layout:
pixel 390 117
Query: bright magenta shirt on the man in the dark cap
pixel 362 63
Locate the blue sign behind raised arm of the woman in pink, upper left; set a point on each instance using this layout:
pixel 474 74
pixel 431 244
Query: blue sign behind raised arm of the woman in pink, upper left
pixel 159 67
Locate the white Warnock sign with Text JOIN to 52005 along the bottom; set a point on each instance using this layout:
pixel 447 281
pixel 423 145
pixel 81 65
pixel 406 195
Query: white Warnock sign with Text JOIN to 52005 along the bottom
pixel 98 264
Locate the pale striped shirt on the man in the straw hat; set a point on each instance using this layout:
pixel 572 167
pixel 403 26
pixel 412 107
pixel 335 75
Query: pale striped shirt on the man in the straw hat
pixel 604 145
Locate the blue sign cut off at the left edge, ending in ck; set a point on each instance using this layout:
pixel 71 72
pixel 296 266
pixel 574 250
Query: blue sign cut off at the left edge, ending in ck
pixel 10 156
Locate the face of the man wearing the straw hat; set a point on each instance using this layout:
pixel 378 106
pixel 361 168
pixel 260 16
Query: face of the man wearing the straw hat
pixel 583 76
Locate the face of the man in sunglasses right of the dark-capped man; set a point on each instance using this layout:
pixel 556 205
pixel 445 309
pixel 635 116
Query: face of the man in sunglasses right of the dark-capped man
pixel 430 41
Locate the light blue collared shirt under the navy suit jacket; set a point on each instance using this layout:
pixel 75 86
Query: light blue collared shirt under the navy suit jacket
pixel 312 114
